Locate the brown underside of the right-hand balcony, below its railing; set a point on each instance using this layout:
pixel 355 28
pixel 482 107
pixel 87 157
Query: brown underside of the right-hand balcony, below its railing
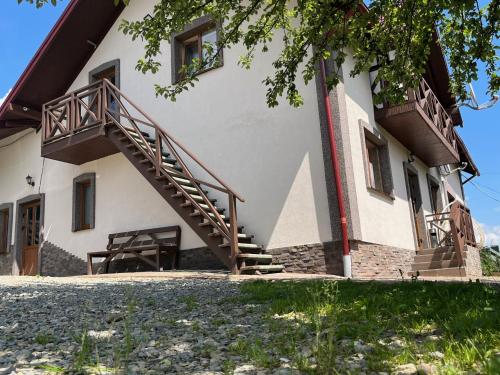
pixel 409 124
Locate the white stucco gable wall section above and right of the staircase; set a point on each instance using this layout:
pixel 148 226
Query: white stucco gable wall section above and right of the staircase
pixel 272 157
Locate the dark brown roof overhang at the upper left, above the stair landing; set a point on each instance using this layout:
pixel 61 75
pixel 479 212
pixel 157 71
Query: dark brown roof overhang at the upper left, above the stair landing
pixel 57 62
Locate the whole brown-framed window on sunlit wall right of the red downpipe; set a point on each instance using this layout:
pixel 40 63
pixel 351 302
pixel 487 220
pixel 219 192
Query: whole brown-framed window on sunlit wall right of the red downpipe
pixel 376 160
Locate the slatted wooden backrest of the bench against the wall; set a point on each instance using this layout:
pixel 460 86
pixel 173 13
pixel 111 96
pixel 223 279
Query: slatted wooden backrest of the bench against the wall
pixel 146 237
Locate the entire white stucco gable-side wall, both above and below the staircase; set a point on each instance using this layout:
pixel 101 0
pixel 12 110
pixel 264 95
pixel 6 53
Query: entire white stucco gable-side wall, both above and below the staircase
pixel 272 157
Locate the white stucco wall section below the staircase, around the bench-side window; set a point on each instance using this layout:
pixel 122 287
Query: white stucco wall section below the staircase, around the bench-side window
pixel 124 199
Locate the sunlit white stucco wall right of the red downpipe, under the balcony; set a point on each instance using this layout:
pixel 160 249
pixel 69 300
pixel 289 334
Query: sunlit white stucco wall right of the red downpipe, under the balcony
pixel 383 220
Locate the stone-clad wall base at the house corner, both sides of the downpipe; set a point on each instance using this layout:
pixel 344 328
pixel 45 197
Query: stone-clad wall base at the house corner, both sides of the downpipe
pixel 368 260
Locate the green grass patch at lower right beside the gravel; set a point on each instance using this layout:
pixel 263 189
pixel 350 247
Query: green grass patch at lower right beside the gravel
pixel 461 321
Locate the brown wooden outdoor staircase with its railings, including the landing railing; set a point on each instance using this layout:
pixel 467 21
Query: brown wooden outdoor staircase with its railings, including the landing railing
pixel 157 156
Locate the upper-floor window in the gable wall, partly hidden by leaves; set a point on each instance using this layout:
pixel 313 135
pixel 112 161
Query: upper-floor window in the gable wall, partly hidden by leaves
pixel 194 51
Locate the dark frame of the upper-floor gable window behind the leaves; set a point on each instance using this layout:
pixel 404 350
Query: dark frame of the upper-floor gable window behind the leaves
pixel 195 30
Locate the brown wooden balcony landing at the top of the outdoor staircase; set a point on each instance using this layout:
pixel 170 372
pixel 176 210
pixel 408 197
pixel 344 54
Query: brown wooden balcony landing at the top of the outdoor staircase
pixel 73 126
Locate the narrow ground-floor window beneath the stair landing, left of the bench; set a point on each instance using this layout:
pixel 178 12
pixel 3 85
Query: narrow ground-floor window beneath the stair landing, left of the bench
pixel 84 202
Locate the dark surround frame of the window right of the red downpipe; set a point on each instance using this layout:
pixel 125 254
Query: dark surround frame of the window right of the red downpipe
pixel 371 136
